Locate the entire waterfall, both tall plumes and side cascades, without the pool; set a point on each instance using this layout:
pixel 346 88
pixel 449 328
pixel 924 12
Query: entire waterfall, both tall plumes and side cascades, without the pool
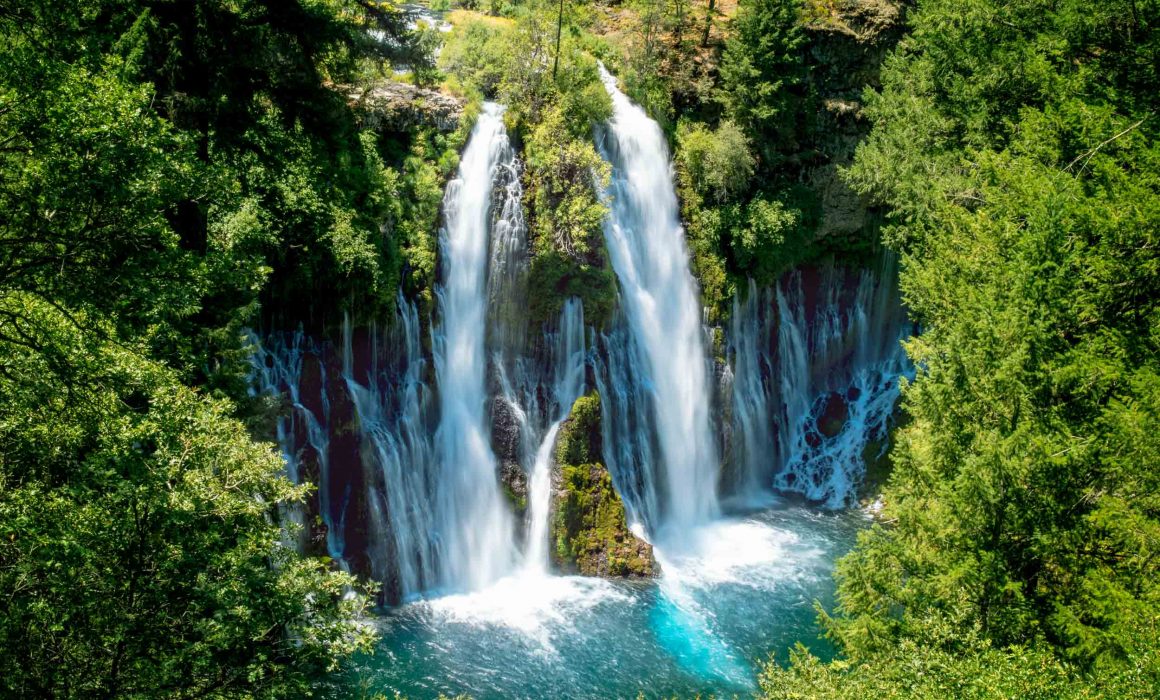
pixel 405 443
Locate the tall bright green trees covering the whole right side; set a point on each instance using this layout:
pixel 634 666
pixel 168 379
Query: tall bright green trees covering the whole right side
pixel 1014 145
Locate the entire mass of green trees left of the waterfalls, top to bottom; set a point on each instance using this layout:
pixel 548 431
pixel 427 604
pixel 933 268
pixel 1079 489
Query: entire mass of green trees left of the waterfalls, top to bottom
pixel 163 164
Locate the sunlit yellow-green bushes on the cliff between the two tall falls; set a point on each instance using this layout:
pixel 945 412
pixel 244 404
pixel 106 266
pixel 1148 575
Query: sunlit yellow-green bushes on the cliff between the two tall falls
pixel 555 98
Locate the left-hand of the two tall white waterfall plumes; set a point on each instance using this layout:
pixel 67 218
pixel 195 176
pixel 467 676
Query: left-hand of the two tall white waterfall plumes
pixel 473 523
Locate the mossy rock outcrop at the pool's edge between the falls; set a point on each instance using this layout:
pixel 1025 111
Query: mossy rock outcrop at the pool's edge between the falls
pixel 589 528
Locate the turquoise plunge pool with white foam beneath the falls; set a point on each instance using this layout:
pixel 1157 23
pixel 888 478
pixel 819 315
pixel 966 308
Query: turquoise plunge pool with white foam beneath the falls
pixel 733 595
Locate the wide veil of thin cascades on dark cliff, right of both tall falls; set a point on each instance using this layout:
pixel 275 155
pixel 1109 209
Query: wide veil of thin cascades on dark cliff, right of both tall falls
pixel 816 364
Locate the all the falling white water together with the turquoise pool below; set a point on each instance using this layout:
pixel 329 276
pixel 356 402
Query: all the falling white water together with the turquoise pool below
pixel 810 385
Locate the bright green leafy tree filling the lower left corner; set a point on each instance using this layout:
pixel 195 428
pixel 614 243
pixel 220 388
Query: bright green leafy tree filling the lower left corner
pixel 137 550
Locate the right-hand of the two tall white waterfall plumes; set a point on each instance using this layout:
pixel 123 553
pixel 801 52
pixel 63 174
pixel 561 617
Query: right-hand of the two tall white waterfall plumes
pixel 664 351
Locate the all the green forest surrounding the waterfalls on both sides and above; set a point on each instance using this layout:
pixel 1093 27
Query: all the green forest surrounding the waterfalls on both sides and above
pixel 176 174
